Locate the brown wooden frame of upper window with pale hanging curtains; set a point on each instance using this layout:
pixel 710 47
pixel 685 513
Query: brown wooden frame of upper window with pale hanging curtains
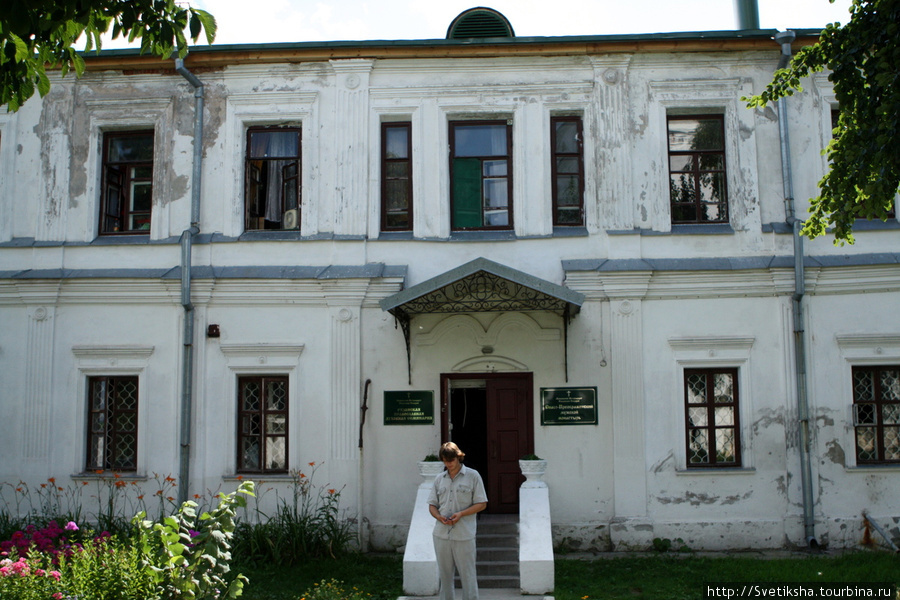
pixel 256 208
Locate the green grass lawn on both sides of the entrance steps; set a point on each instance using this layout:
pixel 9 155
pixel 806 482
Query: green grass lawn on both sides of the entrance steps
pixel 664 576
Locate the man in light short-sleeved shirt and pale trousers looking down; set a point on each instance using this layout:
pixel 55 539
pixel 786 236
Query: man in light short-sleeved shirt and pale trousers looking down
pixel 458 494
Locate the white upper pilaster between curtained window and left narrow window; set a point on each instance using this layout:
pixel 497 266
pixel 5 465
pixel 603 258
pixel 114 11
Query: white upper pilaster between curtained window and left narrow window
pixel 351 114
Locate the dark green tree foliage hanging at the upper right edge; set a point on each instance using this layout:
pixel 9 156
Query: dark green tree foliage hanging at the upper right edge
pixel 865 150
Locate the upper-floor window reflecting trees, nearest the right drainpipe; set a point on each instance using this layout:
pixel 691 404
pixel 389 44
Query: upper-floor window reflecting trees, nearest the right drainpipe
pixel 697 178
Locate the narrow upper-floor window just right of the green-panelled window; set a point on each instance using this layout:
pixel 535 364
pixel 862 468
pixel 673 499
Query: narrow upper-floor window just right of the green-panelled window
pixel 567 146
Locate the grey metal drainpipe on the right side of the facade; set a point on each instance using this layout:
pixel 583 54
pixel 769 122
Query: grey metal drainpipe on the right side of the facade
pixel 809 522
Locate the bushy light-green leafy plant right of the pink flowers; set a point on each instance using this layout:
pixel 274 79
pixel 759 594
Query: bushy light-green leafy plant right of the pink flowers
pixel 189 557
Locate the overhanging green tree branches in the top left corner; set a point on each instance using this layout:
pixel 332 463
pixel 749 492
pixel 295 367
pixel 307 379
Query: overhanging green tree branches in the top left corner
pixel 41 34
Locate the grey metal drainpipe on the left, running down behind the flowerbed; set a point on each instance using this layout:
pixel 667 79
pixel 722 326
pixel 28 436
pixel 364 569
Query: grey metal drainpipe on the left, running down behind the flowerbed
pixel 187 237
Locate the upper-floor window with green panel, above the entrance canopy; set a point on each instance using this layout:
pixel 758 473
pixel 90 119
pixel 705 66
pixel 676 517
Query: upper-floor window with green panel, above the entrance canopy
pixel 480 175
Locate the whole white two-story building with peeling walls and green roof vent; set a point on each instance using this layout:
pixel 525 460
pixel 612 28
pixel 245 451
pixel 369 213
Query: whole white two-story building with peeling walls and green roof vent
pixel 348 252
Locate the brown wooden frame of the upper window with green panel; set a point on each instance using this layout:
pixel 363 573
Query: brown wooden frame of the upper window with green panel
pixel 483 158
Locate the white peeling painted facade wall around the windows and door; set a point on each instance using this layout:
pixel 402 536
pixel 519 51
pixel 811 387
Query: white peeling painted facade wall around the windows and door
pixel 658 299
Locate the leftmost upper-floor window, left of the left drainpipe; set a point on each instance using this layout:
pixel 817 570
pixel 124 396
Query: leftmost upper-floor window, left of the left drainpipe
pixel 127 197
